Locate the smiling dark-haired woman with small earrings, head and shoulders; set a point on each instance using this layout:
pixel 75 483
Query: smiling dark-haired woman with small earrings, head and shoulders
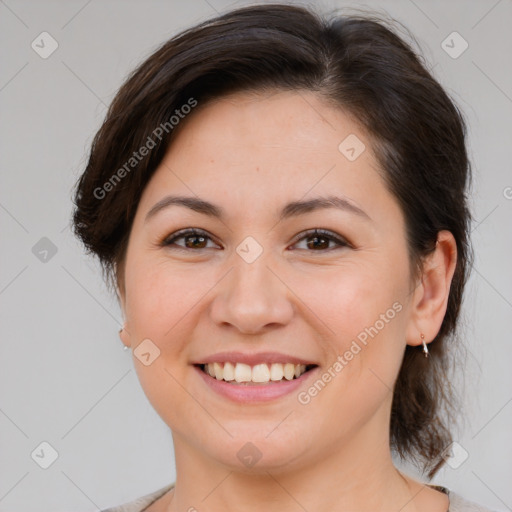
pixel 279 202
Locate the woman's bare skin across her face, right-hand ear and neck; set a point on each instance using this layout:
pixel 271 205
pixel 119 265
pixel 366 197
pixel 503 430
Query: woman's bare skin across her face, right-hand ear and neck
pixel 251 154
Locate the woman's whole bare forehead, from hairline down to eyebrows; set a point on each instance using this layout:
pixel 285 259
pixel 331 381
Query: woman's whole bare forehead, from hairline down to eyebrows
pixel 253 150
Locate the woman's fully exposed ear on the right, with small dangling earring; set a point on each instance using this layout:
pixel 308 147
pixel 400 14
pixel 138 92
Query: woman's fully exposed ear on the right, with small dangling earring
pixel 430 298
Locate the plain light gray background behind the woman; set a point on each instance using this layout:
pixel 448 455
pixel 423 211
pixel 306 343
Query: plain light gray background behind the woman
pixel 64 376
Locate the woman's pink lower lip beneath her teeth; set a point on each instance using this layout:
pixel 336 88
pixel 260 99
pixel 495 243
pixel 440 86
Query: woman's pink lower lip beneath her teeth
pixel 254 393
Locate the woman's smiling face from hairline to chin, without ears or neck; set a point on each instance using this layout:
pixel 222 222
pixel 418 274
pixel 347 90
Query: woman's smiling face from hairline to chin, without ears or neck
pixel 256 286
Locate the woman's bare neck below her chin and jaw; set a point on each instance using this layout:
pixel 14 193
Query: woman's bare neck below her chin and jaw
pixel 356 475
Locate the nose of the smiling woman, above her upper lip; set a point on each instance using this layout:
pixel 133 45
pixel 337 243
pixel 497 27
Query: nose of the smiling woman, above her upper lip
pixel 252 298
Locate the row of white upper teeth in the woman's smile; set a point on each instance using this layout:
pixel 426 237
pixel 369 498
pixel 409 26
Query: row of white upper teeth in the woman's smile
pixel 240 372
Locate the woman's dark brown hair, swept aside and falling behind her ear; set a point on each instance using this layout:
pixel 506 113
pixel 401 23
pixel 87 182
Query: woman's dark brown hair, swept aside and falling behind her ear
pixel 354 62
